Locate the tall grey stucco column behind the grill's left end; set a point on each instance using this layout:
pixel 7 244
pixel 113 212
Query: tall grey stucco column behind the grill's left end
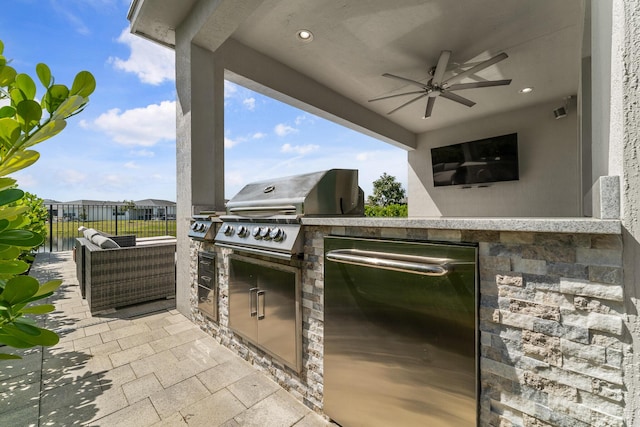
pixel 199 148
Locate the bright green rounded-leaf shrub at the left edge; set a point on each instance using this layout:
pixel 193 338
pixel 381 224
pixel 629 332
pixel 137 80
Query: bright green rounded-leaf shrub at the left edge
pixel 23 124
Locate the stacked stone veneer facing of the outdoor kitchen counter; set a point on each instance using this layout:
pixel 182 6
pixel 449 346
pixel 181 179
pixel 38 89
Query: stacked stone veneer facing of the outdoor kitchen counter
pixel 552 337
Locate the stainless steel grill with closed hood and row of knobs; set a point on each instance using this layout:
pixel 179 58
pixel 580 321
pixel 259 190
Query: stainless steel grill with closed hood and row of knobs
pixel 264 217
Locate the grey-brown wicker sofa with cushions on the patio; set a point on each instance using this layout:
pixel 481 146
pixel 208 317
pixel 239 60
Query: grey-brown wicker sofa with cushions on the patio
pixel 114 277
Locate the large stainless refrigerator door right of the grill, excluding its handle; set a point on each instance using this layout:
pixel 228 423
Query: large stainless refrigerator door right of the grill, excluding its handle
pixel 400 348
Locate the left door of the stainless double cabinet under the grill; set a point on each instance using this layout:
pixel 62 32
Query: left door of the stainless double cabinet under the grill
pixel 243 283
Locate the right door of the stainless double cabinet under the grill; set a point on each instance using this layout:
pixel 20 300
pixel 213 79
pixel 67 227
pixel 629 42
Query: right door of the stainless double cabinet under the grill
pixel 277 309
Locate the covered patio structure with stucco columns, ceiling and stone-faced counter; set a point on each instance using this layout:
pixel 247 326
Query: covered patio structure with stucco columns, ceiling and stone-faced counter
pixel 558 326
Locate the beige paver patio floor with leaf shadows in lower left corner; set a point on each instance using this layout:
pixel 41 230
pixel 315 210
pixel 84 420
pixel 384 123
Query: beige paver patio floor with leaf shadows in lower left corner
pixel 137 366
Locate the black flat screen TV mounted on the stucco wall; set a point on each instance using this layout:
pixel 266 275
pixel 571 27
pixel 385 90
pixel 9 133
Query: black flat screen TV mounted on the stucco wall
pixel 476 162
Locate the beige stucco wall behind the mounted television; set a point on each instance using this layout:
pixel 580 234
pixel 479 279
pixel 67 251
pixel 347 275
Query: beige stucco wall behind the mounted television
pixel 549 183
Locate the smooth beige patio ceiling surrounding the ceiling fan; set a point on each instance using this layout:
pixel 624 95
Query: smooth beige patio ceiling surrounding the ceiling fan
pixel 355 42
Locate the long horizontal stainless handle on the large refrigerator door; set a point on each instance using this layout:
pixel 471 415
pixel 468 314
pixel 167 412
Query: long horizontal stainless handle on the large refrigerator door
pixel 426 266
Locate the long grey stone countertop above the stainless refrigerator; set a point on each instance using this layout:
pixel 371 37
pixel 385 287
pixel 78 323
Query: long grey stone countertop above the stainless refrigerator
pixel 541 225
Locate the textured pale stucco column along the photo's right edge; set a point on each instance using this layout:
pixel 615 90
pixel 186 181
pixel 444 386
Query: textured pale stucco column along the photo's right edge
pixel 625 135
